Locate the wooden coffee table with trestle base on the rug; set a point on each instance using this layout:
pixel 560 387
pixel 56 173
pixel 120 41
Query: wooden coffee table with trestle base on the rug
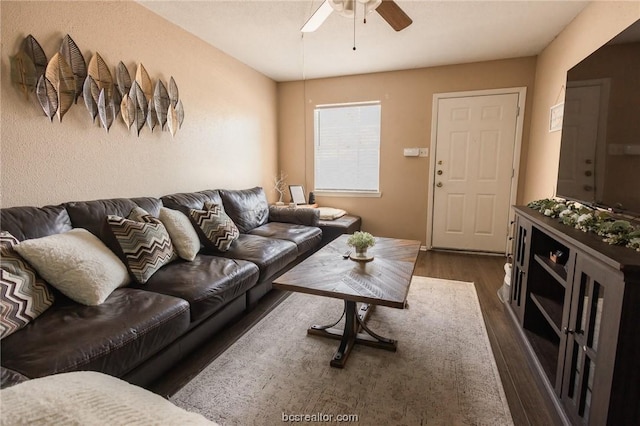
pixel 383 281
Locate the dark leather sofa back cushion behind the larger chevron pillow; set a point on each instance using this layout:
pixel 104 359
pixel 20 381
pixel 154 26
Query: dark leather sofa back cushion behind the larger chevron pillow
pixel 92 215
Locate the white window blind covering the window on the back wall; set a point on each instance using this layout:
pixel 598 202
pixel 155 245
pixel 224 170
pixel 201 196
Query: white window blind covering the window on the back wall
pixel 347 147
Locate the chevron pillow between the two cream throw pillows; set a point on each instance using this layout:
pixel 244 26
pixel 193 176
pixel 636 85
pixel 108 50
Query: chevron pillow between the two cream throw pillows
pixel 144 241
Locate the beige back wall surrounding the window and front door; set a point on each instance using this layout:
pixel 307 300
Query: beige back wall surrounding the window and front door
pixel 406 98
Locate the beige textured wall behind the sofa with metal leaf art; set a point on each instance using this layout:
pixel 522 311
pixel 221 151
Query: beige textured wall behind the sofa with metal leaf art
pixel 229 137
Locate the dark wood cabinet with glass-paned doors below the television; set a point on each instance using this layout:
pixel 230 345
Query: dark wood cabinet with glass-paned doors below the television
pixel 576 300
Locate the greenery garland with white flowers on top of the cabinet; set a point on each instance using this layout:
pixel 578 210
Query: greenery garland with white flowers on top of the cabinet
pixel 614 231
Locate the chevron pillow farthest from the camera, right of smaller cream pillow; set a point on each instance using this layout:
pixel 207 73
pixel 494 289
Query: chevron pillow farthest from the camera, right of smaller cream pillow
pixel 218 228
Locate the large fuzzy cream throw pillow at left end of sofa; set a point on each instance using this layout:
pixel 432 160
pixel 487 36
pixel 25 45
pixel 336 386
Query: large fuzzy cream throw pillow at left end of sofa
pixel 77 263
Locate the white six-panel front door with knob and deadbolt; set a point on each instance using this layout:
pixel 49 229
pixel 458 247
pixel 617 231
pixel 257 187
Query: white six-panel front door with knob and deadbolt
pixel 475 140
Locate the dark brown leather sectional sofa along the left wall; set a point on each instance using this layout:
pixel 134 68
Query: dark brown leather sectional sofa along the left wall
pixel 141 331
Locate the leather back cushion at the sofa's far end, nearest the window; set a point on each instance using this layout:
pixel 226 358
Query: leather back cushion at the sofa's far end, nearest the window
pixel 248 208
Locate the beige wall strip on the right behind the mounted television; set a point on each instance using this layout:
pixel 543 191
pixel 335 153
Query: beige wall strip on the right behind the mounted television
pixel 596 25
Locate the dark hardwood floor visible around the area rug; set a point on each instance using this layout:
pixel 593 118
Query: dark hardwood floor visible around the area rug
pixel 529 403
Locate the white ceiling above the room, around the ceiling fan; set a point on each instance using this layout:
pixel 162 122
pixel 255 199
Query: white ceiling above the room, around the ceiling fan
pixel 266 34
